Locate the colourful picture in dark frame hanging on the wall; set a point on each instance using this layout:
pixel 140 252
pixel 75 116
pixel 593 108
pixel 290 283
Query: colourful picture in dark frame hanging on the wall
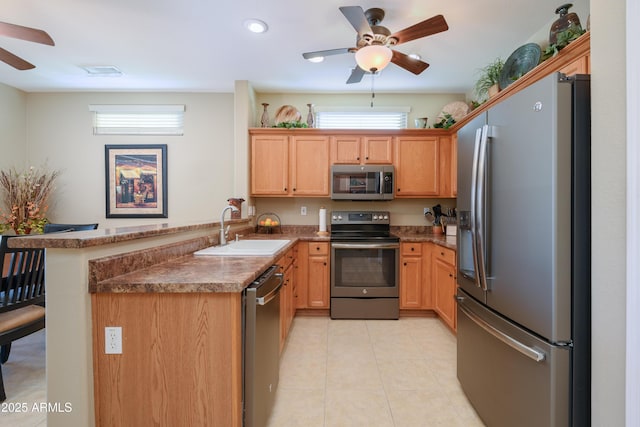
pixel 136 181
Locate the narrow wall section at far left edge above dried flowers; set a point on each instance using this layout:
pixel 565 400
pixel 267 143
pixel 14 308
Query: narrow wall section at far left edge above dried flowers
pixel 13 127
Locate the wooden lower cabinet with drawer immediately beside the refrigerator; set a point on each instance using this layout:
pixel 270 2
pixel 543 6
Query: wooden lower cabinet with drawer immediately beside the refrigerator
pixel 444 283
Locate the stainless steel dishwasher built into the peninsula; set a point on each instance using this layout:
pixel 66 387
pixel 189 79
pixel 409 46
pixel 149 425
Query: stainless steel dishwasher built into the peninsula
pixel 261 347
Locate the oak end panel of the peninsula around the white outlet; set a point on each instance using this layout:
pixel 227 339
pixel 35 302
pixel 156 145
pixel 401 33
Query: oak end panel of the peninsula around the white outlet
pixel 181 361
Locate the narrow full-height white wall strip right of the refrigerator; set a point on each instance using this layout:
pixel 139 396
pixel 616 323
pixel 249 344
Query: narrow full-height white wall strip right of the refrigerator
pixel 608 90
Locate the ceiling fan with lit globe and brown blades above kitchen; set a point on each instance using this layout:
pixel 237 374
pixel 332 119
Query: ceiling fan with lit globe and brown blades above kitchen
pixel 372 36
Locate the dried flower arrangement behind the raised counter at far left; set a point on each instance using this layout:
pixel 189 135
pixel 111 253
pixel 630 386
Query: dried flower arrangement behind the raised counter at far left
pixel 25 198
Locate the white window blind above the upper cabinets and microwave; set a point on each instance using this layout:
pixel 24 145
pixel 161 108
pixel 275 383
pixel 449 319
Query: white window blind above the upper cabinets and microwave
pixel 374 118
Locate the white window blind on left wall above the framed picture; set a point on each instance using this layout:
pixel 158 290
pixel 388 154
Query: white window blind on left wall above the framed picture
pixel 138 119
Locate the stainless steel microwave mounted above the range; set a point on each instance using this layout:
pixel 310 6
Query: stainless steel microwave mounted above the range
pixel 362 182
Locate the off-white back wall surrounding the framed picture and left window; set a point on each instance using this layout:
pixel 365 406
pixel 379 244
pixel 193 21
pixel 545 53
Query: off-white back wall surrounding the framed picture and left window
pixel 200 164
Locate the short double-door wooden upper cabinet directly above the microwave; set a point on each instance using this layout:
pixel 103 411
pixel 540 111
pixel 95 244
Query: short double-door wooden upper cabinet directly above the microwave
pixel 351 149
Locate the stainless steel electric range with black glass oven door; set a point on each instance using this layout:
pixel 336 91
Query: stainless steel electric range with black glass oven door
pixel 364 266
